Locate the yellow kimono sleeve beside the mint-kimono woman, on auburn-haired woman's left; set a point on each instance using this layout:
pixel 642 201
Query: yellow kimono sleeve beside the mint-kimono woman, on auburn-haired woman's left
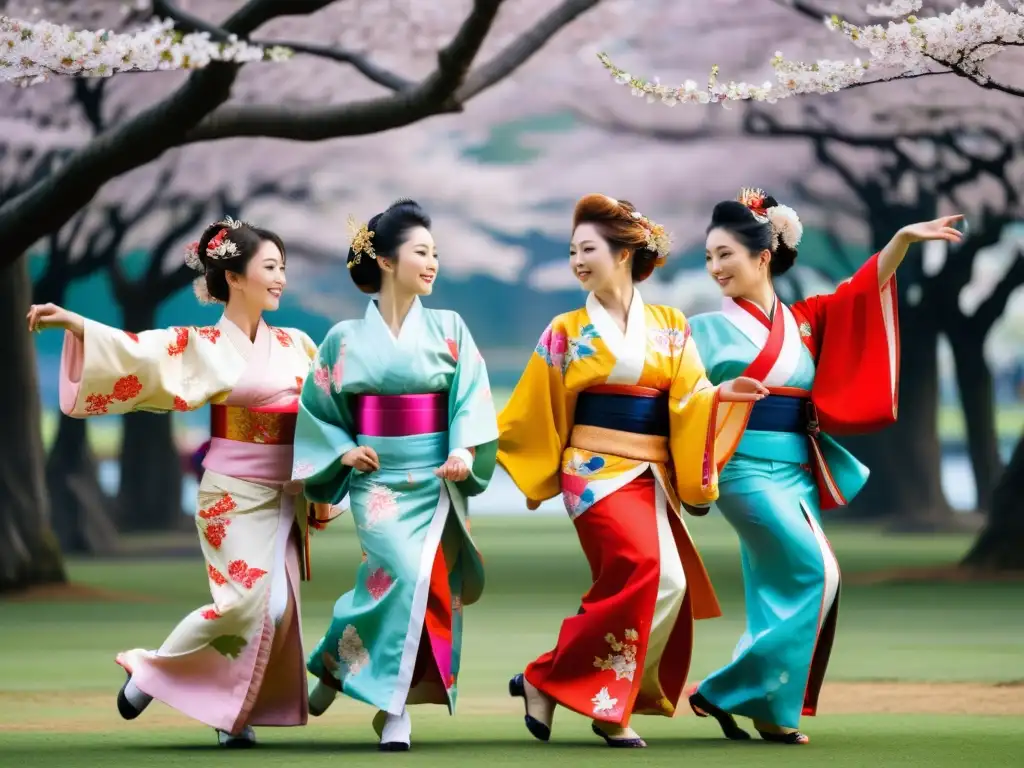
pixel 535 424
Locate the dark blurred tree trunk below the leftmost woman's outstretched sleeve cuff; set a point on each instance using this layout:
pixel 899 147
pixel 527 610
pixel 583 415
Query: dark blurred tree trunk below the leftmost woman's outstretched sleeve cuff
pixel 81 509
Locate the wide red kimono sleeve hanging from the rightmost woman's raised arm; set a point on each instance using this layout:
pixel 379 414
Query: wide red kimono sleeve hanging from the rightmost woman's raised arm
pixel 855 336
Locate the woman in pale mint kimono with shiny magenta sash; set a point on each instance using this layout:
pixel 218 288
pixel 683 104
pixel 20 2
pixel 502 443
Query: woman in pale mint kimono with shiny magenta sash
pixel 398 414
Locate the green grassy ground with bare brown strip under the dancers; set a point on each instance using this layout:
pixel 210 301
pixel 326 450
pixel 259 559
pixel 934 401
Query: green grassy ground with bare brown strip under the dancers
pixel 922 675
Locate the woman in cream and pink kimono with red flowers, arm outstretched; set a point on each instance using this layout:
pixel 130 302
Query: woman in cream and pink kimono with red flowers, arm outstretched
pixel 238 662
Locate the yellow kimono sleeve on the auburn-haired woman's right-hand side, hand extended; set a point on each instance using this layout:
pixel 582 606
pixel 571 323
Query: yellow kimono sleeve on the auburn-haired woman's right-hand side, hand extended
pixel 703 432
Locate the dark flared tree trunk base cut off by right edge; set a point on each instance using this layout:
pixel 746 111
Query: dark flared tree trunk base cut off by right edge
pixel 1001 544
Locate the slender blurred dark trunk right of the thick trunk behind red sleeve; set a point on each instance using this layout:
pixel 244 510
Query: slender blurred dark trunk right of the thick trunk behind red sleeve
pixel 974 380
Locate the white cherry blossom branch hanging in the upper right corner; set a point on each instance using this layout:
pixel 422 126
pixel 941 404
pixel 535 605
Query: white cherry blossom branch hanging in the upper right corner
pixel 921 40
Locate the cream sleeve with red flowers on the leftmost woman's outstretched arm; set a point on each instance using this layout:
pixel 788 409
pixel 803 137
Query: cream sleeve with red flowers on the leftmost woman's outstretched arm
pixel 110 371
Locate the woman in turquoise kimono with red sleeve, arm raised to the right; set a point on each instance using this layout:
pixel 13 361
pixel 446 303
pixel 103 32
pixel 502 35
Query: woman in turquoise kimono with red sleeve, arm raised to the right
pixel 832 365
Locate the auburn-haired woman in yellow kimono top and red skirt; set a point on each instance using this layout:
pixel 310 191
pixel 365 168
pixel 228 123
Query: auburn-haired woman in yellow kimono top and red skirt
pixel 614 412
